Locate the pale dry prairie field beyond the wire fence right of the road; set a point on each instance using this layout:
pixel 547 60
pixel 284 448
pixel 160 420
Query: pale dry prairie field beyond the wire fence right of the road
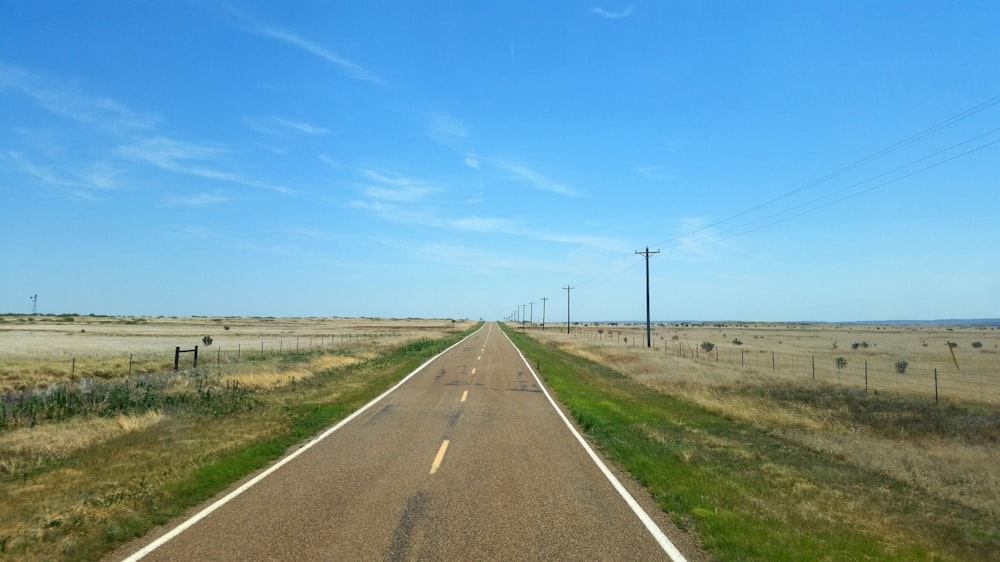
pixel 967 370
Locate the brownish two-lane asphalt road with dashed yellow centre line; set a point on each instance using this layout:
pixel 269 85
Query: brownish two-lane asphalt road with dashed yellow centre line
pixel 468 459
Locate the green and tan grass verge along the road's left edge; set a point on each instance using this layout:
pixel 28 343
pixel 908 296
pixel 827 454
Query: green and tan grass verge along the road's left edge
pixel 76 489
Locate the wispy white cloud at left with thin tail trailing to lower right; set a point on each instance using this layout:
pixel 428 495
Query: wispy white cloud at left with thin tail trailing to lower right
pixel 184 158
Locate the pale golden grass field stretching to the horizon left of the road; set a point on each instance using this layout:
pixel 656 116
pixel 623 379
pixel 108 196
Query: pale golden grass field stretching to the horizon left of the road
pixel 42 350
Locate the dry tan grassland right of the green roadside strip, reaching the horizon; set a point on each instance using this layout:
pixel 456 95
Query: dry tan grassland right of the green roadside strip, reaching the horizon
pixel 949 447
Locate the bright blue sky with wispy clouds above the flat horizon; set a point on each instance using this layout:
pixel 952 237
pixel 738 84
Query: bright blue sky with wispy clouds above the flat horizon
pixel 820 160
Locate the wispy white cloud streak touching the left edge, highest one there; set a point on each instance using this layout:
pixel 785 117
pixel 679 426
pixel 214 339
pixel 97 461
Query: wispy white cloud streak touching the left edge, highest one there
pixel 63 100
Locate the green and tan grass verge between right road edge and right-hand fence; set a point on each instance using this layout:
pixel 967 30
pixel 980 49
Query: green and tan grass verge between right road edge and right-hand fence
pixel 777 470
